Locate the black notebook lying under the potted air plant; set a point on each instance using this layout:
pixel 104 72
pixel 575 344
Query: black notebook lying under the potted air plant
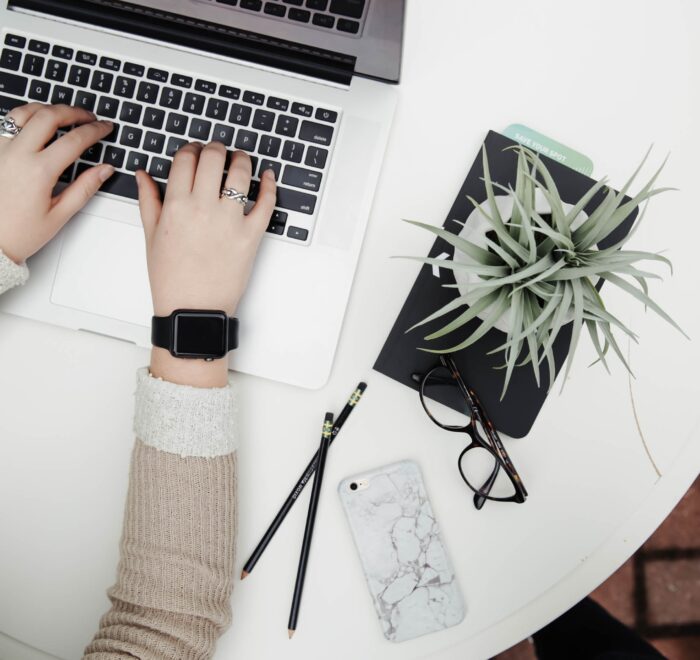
pixel 400 357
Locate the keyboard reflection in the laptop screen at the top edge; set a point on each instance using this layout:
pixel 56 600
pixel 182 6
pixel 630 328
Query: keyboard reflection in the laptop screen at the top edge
pixel 342 16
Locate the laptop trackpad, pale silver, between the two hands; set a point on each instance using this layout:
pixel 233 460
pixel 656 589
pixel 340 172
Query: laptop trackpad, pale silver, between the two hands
pixel 102 270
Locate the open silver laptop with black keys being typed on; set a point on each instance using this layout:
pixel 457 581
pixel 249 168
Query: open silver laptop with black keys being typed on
pixel 307 87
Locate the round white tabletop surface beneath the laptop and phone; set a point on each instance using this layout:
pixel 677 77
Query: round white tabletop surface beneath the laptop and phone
pixel 608 78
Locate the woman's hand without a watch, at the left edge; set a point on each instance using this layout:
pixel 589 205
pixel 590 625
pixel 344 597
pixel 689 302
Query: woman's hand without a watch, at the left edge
pixel 31 216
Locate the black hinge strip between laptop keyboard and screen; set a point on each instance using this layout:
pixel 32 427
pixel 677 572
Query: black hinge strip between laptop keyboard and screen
pixel 185 31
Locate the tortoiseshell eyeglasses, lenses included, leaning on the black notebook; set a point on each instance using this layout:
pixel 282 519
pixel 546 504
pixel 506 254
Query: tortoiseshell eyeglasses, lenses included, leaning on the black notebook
pixel 484 464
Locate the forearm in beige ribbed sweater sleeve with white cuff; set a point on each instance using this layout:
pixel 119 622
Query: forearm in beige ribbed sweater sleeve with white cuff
pixel 175 575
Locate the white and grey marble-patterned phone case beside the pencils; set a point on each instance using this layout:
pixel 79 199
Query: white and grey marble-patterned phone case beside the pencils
pixel 409 575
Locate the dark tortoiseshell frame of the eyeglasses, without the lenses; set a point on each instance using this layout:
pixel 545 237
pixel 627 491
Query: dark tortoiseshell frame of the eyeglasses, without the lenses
pixel 492 443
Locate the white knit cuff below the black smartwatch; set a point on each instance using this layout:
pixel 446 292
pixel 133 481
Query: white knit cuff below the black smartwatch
pixel 184 420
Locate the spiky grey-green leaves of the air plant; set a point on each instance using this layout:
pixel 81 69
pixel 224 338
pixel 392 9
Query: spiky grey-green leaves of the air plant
pixel 542 268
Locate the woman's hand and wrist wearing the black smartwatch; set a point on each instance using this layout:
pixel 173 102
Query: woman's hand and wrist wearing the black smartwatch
pixel 200 248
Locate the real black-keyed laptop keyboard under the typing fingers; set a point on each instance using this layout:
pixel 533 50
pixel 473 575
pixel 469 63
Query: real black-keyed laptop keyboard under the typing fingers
pixel 156 111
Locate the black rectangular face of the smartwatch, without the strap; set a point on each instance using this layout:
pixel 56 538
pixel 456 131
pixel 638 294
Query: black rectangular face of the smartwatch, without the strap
pixel 200 335
